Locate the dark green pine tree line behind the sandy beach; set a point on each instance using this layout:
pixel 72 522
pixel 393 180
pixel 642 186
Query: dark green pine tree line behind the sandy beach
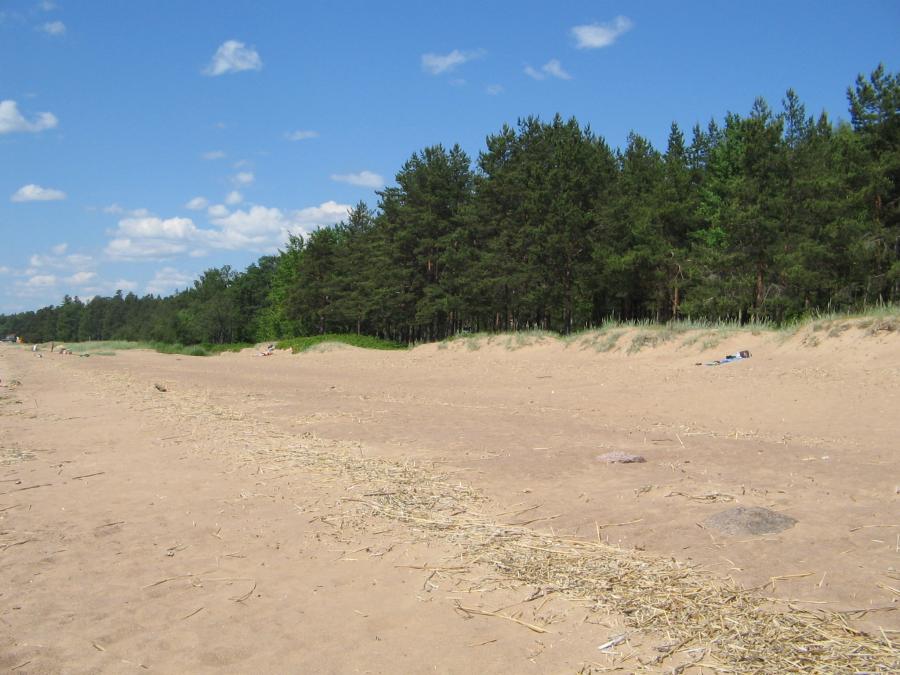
pixel 763 216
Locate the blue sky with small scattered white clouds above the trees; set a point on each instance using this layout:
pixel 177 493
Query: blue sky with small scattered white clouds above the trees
pixel 144 142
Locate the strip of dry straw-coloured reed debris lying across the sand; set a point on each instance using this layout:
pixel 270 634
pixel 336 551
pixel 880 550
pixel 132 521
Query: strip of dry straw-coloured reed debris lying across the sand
pixel 682 606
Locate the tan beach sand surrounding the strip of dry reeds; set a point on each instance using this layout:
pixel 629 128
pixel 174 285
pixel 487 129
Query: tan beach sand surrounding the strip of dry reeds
pixel 142 529
